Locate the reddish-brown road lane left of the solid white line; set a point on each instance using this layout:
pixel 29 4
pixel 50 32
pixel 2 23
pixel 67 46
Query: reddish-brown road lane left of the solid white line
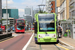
pixel 16 43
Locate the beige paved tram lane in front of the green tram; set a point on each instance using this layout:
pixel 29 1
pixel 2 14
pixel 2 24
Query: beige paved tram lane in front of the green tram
pixel 33 46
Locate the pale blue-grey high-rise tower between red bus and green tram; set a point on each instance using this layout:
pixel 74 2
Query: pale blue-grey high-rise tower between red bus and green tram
pixel 28 16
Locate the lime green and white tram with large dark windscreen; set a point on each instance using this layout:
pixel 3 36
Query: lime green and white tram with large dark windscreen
pixel 45 28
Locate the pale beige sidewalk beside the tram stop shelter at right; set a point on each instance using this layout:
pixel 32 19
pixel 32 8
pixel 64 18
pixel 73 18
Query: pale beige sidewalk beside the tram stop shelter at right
pixel 68 41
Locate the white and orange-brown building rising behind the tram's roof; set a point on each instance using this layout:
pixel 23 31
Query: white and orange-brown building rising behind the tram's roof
pixel 50 6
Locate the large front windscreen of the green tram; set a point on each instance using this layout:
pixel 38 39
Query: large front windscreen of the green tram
pixel 46 23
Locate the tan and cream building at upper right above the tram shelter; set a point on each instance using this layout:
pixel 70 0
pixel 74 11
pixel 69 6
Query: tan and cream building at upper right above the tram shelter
pixel 63 9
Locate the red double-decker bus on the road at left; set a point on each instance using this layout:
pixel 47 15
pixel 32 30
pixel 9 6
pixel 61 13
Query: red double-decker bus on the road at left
pixel 20 25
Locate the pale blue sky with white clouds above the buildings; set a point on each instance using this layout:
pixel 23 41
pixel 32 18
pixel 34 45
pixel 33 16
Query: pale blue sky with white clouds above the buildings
pixel 21 4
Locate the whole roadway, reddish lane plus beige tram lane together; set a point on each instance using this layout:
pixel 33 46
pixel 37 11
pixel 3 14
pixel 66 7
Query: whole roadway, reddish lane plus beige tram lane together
pixel 19 40
